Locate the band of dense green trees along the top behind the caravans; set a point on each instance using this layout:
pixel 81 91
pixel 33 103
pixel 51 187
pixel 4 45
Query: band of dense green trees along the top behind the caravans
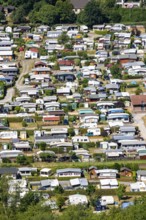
pixel 51 12
